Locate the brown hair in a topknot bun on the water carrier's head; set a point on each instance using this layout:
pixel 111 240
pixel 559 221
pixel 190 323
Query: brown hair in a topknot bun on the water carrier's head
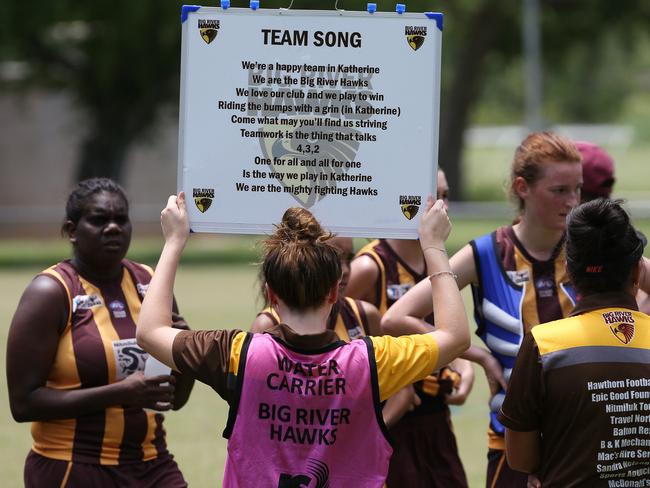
pixel 300 263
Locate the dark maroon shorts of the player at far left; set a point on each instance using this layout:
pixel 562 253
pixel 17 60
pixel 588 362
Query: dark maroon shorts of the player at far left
pixel 42 472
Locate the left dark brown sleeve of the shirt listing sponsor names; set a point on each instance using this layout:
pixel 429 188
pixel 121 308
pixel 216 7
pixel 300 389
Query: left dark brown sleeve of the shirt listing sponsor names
pixel 522 407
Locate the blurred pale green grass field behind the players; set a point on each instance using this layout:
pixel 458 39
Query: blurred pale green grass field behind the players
pixel 217 288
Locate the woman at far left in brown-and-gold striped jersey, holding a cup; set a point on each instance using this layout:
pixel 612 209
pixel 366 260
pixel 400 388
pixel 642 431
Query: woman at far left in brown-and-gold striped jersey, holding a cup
pixel 73 366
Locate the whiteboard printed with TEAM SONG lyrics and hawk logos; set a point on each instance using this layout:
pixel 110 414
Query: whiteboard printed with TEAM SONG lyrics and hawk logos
pixel 333 111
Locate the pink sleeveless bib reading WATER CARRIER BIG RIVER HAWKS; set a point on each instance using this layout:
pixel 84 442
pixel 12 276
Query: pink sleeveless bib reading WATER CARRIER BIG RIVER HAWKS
pixel 275 440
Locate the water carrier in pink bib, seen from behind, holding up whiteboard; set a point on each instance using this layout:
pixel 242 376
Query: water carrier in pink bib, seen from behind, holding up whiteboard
pixel 299 397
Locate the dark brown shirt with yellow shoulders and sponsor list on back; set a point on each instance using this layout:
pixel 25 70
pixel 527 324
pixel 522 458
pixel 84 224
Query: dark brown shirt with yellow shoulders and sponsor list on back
pixel 584 383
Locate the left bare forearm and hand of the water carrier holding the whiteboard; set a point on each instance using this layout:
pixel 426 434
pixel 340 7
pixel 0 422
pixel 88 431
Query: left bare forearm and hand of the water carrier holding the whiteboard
pixel 154 332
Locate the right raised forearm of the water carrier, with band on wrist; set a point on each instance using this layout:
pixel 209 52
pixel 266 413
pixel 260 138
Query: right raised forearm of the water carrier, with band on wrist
pixel 451 326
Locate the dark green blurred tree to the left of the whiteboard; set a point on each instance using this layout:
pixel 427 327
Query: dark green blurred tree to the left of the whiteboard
pixel 119 60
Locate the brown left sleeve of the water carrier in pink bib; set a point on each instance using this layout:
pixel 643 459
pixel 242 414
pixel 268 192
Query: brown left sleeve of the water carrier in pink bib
pixel 205 355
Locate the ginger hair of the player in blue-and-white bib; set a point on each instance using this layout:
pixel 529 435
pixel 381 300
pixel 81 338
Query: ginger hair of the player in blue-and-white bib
pixel 536 149
